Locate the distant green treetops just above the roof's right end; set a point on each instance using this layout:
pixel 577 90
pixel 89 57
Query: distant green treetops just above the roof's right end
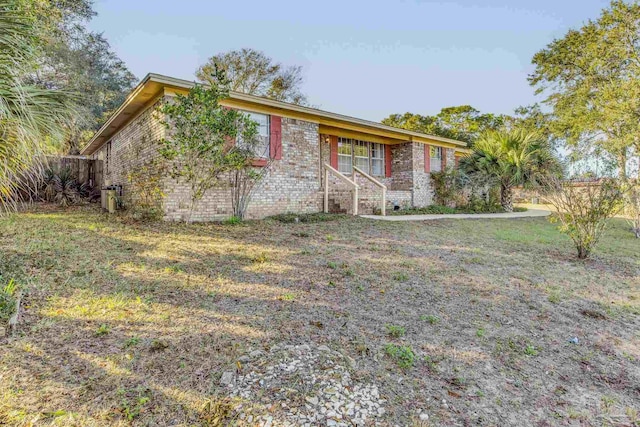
pixel 463 123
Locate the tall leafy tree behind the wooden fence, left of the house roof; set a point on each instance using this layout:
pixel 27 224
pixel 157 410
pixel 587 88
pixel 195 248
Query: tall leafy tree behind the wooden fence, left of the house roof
pixel 78 60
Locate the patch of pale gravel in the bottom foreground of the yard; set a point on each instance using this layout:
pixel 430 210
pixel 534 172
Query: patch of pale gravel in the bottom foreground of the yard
pixel 311 385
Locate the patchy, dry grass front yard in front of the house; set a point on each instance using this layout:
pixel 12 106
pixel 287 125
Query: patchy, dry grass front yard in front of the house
pixel 356 321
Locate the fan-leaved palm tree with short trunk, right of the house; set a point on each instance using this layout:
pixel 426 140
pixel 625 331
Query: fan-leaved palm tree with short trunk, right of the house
pixel 511 158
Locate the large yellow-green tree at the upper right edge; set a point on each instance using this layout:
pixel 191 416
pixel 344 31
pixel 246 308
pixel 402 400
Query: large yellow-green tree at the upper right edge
pixel 591 79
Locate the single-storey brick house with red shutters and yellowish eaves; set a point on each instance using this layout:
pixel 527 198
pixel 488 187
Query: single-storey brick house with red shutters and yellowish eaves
pixel 317 160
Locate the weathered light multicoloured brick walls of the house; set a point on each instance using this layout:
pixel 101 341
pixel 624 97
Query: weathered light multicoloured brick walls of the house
pixel 292 184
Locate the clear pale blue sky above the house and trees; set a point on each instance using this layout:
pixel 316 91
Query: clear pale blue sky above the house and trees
pixel 366 58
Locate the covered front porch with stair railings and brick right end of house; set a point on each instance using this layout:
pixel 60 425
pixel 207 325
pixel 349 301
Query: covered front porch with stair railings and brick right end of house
pixel 368 174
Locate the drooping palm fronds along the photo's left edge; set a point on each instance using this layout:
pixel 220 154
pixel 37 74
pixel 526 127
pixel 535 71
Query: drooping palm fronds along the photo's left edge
pixel 31 119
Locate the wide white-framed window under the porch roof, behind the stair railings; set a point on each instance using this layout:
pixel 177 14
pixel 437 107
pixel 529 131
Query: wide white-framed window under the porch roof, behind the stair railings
pixel 366 156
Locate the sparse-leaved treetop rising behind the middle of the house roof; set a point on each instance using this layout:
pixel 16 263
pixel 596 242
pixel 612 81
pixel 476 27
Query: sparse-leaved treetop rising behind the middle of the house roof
pixel 251 71
